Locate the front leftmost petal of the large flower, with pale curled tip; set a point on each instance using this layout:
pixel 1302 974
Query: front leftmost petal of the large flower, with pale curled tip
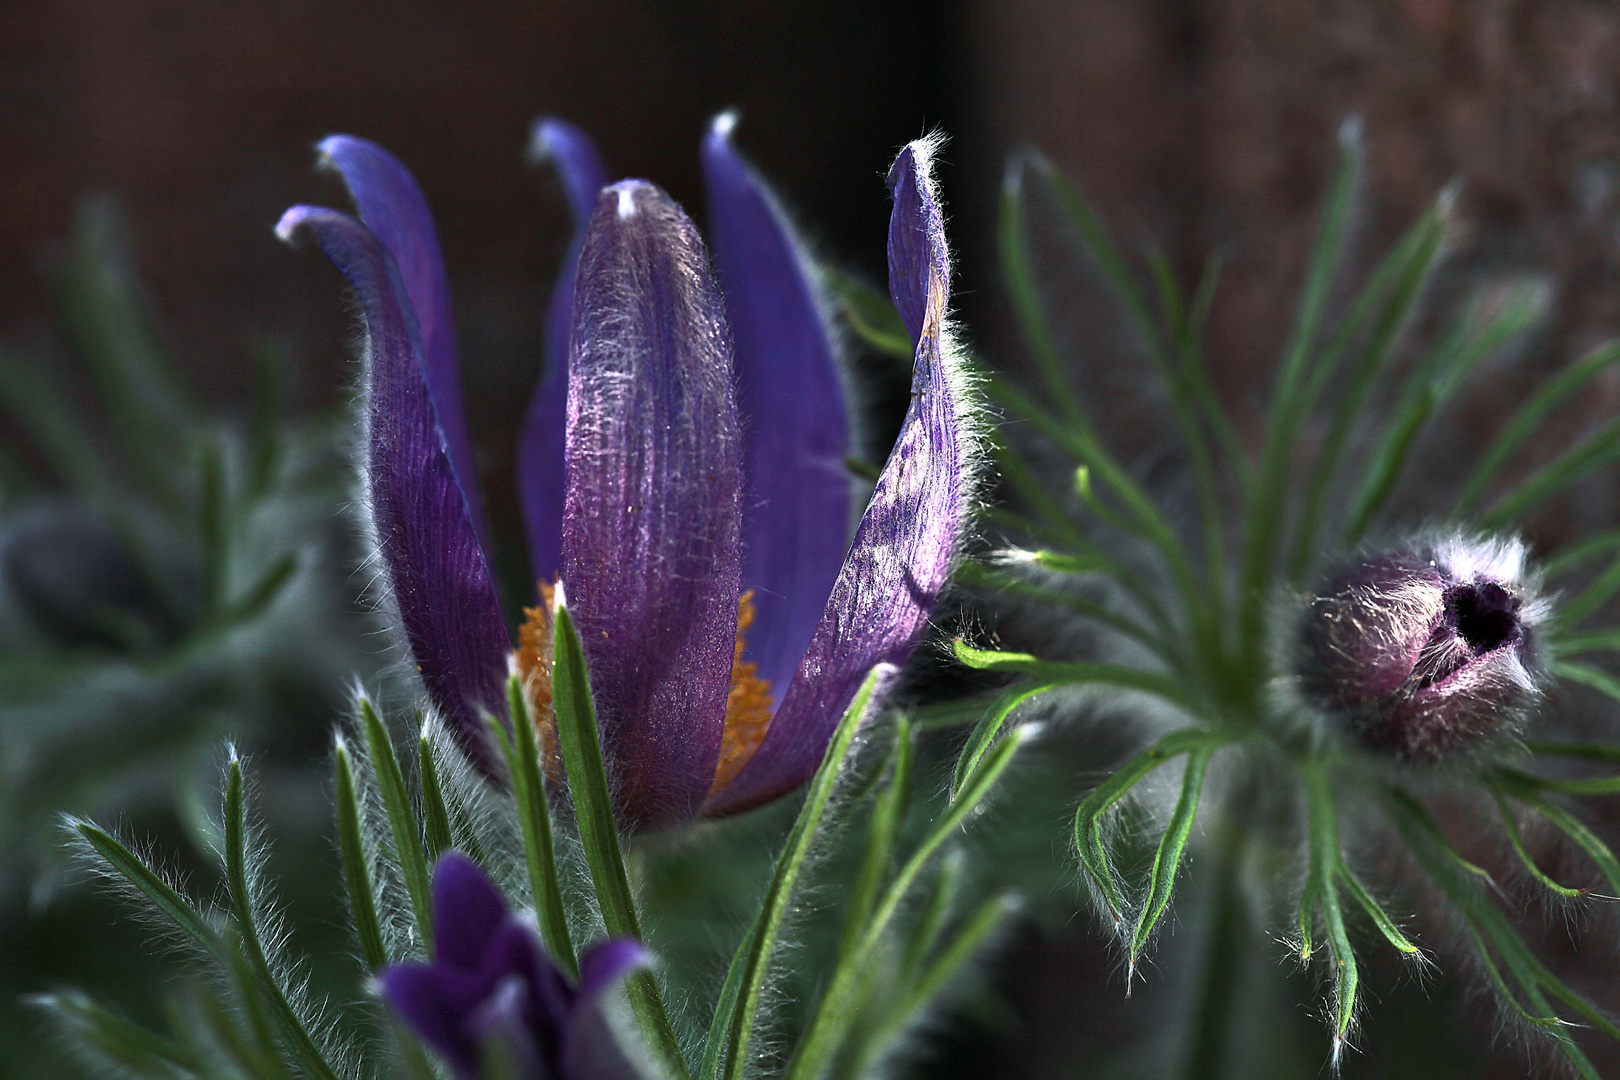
pixel 425 537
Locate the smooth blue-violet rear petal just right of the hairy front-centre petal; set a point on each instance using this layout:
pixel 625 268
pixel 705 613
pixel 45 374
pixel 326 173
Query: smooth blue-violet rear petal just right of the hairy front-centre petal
pixel 796 433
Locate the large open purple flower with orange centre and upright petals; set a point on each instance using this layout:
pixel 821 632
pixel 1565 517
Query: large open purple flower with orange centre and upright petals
pixel 681 474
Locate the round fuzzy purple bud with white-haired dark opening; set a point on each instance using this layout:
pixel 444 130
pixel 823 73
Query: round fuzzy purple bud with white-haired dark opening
pixel 1426 650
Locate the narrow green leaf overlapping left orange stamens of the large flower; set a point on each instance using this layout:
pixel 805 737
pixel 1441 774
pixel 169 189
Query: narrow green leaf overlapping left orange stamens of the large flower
pixel 582 759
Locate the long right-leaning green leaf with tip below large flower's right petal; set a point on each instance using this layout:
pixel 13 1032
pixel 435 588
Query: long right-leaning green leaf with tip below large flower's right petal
pixel 727 1050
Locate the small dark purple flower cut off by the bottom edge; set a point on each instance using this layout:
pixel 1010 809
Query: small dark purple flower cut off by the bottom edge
pixel 493 992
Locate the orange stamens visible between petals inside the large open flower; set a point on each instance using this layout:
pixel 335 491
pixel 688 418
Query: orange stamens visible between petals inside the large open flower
pixel 748 705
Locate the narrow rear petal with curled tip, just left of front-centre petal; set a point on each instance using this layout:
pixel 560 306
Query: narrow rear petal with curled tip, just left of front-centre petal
pixel 540 446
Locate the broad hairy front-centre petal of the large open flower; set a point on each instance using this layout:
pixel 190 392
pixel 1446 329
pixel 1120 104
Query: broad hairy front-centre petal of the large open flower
pixel 650 534
